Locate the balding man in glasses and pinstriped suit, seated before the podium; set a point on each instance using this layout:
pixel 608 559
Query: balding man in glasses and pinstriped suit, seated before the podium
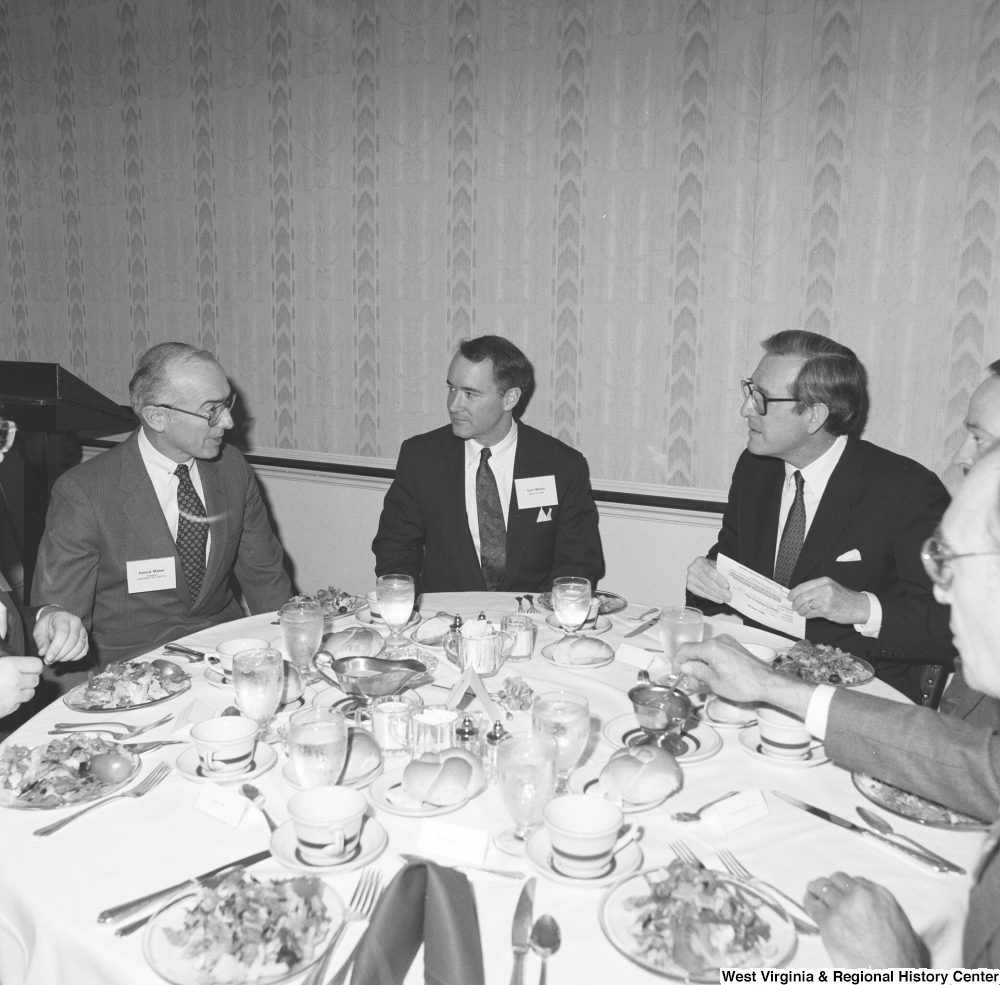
pixel 142 541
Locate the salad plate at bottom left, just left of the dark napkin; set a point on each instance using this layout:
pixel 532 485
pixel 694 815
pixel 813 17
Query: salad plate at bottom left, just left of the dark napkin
pixel 203 938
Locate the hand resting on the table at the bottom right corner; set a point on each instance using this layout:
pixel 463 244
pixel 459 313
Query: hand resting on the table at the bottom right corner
pixel 862 925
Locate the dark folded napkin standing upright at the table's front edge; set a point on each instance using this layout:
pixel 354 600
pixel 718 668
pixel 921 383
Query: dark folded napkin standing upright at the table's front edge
pixel 430 904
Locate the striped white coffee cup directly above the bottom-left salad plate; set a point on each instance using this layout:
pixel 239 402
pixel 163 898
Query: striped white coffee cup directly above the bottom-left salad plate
pixel 327 823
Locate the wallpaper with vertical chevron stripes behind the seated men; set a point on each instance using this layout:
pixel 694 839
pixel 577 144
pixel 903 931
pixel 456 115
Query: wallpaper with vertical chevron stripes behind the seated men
pixel 329 194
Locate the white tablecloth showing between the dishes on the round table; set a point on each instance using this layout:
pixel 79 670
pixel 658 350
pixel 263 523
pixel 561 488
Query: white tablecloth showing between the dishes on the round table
pixel 52 888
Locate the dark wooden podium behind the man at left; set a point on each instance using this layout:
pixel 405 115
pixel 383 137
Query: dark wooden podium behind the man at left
pixel 48 404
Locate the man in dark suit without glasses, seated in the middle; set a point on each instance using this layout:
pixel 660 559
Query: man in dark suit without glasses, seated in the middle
pixel 488 503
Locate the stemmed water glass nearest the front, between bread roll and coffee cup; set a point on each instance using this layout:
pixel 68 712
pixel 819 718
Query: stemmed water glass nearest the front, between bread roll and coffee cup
pixel 526 775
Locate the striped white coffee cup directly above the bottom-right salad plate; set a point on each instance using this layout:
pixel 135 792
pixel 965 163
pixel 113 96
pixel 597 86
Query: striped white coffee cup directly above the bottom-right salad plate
pixel 585 834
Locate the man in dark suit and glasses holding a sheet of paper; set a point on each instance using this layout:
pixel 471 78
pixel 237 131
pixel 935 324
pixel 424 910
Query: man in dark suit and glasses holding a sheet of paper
pixel 837 520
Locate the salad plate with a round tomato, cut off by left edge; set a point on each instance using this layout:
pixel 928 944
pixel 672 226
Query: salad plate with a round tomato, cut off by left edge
pixel 56 773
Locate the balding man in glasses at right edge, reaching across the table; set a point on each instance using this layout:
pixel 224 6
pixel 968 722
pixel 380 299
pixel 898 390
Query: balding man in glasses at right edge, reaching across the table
pixel 940 757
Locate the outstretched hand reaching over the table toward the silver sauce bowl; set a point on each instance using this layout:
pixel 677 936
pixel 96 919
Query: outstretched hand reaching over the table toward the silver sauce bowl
pixel 732 673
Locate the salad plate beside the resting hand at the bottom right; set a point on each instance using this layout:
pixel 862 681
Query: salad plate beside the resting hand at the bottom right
pixel 644 916
